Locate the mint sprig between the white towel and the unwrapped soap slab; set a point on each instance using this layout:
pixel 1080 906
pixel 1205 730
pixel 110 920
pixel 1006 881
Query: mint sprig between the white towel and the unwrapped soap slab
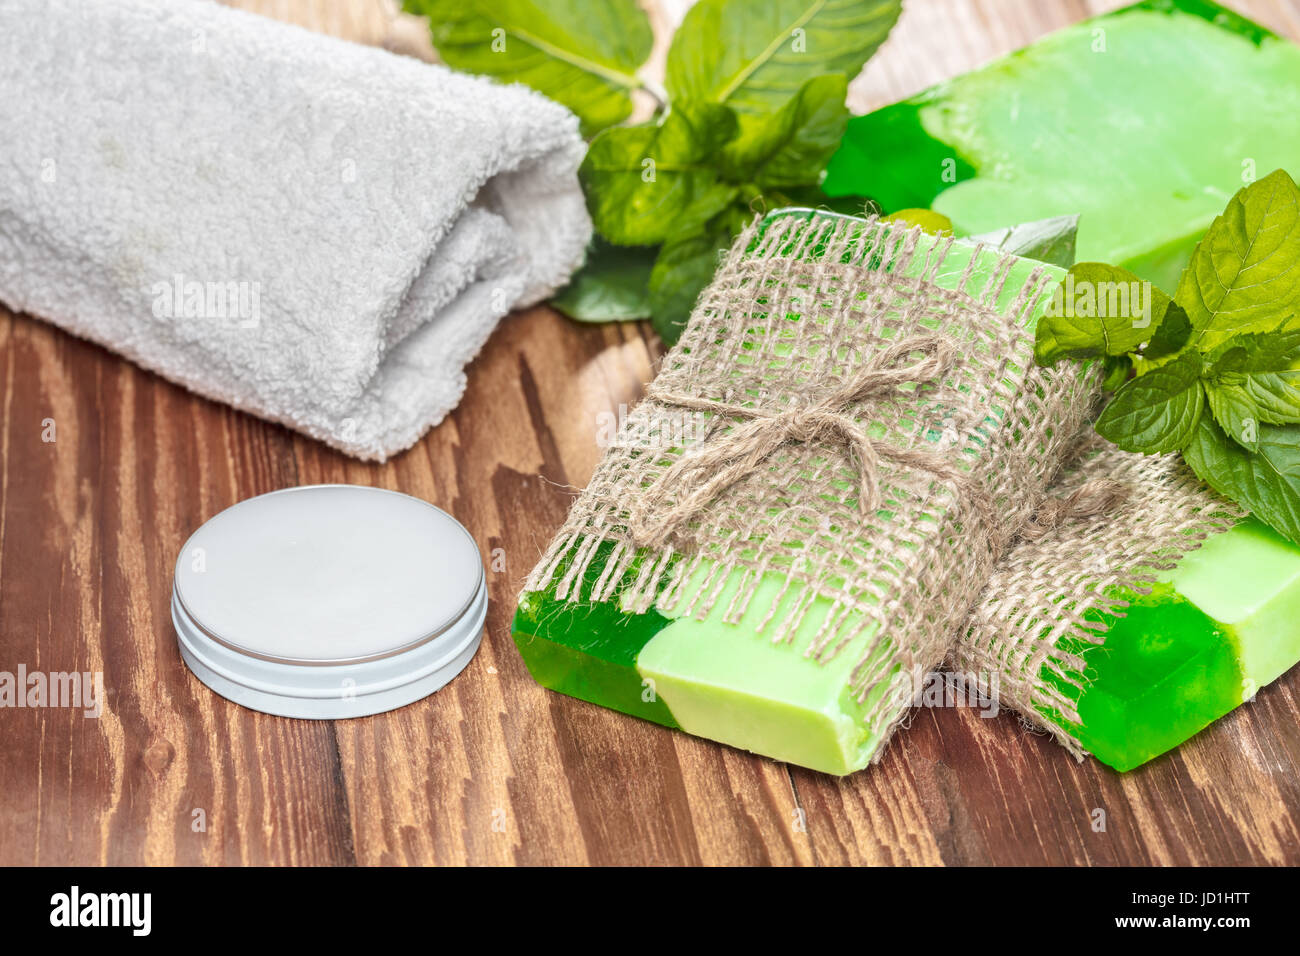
pixel 752 109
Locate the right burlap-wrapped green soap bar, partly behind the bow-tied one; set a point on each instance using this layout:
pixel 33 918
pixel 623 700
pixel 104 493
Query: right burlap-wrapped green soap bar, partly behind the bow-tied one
pixel 1145 625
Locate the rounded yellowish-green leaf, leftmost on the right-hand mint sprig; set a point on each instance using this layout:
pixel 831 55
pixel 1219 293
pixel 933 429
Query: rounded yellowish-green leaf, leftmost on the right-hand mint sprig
pixel 1099 310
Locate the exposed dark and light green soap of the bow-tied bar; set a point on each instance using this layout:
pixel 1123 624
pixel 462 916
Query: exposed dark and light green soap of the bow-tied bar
pixel 729 682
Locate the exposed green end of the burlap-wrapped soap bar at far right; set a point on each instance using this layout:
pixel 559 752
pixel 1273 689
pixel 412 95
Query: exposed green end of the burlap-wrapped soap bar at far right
pixel 1217 628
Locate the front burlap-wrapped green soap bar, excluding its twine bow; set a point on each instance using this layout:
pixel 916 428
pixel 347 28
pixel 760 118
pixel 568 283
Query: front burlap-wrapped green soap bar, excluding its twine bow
pixel 736 643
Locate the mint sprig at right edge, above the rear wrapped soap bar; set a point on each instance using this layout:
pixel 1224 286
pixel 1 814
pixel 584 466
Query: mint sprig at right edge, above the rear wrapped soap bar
pixel 1216 370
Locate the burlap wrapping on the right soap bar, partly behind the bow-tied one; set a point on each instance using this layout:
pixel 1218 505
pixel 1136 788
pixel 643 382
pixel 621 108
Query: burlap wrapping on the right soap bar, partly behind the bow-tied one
pixel 1054 587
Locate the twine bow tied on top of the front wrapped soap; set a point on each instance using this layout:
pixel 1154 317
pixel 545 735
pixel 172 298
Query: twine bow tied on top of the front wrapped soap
pixel 731 457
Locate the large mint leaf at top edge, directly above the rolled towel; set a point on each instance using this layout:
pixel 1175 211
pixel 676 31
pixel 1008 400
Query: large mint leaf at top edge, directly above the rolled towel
pixel 579 53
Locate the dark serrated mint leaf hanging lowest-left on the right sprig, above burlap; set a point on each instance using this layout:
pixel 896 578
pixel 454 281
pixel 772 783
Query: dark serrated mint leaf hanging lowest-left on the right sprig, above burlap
pixel 1156 412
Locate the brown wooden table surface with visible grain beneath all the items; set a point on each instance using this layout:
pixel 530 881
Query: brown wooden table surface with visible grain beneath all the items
pixel 493 769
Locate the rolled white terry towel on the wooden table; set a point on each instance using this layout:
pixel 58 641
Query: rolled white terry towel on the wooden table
pixel 317 232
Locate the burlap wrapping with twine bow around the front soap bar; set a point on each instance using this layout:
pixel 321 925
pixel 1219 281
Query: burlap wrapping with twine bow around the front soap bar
pixel 785 364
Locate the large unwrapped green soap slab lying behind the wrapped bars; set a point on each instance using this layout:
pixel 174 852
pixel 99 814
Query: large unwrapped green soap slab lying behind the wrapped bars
pixel 1145 122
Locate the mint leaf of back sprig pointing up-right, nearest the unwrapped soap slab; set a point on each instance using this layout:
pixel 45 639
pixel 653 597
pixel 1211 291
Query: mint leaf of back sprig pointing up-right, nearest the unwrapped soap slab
pixel 792 146
